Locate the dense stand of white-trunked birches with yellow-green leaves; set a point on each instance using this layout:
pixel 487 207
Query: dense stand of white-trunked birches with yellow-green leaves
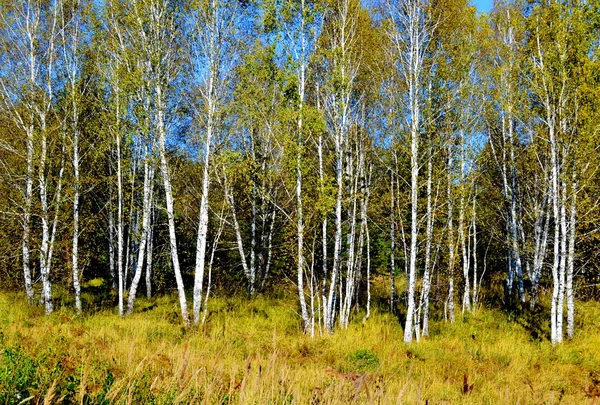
pixel 265 146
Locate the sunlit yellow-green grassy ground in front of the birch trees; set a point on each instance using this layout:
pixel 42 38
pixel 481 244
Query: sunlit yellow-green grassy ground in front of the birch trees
pixel 254 352
